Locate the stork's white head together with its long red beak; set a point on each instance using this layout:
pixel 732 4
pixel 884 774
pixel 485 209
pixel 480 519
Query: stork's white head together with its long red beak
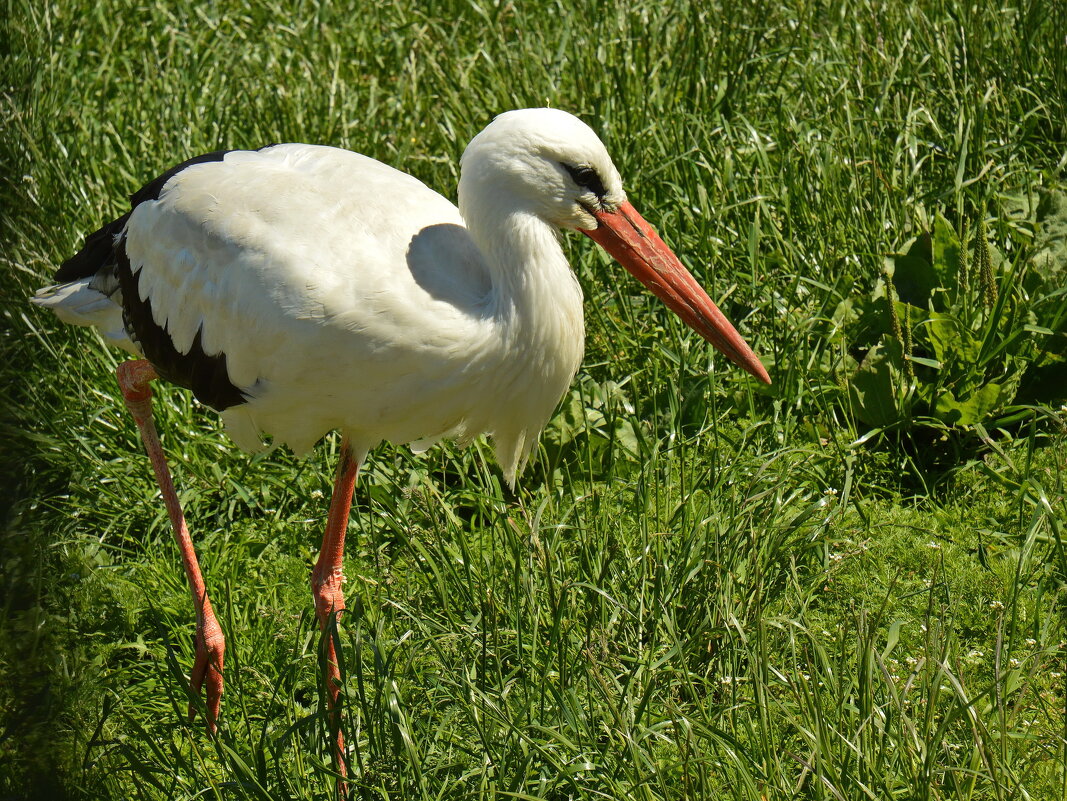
pixel 550 164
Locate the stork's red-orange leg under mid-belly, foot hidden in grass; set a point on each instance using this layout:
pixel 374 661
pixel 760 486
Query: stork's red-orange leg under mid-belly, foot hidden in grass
pixel 327 587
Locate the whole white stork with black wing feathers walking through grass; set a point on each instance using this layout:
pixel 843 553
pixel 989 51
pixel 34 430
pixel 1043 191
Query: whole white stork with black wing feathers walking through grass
pixel 299 290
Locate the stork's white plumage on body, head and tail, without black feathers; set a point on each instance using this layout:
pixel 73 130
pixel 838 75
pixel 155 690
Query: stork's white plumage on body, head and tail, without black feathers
pixel 346 295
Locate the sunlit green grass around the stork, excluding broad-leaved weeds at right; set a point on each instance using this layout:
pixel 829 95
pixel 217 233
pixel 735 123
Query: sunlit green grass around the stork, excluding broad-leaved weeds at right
pixel 703 589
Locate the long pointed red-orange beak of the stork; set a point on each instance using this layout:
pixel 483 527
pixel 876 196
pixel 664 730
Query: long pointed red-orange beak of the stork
pixel 634 244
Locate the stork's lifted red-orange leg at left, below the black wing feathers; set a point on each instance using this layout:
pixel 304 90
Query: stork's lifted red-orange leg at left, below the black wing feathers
pixel 134 379
